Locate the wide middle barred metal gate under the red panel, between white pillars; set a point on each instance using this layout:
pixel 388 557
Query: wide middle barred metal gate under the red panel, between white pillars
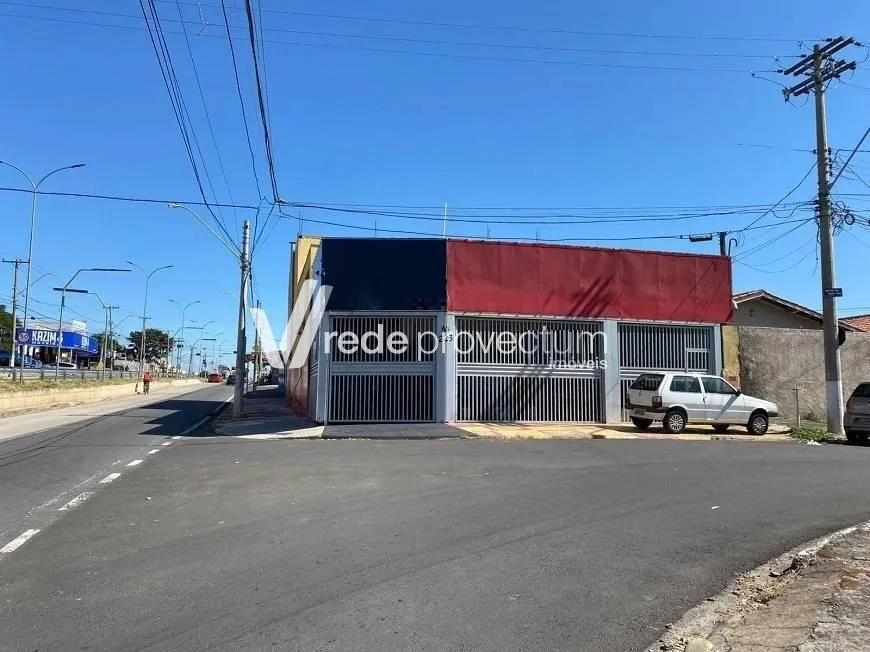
pixel 552 374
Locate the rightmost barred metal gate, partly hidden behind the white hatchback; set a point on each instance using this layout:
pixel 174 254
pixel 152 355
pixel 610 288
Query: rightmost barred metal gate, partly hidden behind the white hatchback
pixel 662 347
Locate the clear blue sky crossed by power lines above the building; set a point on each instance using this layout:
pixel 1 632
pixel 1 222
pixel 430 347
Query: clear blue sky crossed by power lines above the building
pixel 521 118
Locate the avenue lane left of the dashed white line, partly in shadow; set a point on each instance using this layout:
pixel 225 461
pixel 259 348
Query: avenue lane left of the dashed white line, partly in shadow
pixel 39 473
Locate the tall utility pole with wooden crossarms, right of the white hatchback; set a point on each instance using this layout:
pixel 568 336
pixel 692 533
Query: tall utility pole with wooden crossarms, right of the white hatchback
pixel 820 67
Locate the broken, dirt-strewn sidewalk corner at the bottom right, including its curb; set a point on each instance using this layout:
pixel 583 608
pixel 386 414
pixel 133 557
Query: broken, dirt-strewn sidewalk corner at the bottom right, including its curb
pixel 815 601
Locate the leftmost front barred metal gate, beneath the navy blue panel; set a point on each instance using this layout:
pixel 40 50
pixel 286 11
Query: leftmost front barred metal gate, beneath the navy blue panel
pixel 380 383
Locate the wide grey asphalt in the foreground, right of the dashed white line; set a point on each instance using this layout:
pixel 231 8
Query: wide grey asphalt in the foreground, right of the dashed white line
pixel 425 545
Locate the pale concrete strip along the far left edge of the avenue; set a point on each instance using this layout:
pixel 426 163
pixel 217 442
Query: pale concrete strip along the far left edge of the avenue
pixel 32 422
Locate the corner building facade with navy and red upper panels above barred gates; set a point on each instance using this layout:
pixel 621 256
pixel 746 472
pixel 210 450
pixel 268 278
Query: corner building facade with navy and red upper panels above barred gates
pixel 456 330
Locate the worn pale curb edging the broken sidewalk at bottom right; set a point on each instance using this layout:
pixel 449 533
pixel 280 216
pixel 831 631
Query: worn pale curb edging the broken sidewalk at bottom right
pixel 694 627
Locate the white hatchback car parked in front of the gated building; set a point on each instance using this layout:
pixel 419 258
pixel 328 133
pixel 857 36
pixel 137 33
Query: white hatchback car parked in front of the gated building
pixel 677 399
